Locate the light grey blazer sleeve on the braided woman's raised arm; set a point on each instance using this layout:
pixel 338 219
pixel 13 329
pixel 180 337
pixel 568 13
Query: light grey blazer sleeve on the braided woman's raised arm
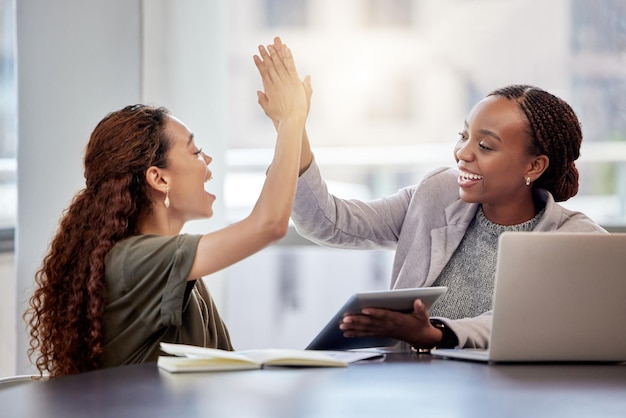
pixel 328 220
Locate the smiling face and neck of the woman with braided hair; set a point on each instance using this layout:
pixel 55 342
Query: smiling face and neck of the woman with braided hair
pixel 494 161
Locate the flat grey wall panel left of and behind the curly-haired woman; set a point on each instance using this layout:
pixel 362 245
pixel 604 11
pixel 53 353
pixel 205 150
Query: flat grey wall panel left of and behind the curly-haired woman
pixel 76 61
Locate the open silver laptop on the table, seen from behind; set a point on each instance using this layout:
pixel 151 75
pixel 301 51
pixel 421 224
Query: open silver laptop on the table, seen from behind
pixel 559 297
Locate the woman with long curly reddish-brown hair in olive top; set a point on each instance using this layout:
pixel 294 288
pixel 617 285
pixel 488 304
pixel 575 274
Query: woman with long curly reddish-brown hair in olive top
pixel 119 277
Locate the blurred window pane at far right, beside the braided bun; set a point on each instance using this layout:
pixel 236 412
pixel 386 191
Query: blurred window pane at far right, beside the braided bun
pixel 598 86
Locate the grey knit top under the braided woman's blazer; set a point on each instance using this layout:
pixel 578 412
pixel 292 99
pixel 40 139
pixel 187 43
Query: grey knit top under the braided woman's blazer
pixel 470 273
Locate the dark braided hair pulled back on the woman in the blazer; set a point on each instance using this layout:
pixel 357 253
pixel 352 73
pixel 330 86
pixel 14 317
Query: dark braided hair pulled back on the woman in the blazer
pixel 555 131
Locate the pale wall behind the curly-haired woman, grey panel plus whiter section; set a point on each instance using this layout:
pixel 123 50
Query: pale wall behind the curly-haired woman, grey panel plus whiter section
pixel 77 61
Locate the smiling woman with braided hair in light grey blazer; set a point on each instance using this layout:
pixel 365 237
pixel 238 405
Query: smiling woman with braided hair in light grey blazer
pixel 514 160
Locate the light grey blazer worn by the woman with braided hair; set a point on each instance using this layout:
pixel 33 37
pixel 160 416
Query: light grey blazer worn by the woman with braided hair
pixel 423 223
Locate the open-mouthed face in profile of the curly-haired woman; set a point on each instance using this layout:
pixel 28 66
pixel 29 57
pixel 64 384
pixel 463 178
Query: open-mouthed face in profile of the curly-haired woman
pixel 186 174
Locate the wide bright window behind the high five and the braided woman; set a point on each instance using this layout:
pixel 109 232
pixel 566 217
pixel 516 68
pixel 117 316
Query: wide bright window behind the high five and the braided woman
pixel 394 93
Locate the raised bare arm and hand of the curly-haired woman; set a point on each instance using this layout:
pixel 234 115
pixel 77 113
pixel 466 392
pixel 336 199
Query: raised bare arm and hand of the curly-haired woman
pixel 285 100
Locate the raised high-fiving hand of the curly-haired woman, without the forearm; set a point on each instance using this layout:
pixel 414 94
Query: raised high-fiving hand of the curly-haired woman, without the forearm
pixel 284 95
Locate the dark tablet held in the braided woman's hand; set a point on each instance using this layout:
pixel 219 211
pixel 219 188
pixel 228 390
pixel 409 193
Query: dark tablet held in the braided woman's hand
pixel 401 300
